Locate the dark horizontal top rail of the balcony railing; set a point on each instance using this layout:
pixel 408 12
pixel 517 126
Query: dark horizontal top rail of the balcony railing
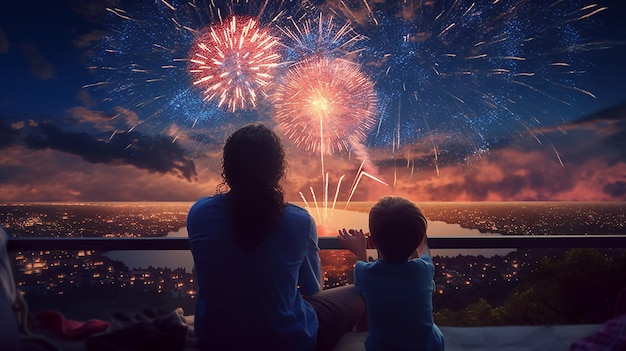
pixel 327 243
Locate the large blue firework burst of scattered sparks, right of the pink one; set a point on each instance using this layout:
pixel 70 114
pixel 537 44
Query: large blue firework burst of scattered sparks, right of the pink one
pixel 475 70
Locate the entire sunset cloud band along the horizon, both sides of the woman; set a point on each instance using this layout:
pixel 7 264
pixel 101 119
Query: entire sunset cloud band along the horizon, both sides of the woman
pixel 43 162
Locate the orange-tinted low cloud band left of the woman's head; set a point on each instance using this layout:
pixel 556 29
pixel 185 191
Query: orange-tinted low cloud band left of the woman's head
pixel 50 175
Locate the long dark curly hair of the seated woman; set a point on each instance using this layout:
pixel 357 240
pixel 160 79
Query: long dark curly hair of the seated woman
pixel 253 164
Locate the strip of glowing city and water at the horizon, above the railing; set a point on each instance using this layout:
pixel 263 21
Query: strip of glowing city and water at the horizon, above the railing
pixel 507 218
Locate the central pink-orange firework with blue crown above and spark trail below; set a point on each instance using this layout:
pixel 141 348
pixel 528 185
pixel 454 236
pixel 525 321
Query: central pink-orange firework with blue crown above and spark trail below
pixel 325 104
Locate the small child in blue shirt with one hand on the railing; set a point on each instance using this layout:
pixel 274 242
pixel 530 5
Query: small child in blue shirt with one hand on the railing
pixel 398 287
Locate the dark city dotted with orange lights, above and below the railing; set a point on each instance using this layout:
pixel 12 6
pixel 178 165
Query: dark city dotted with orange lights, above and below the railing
pixel 82 282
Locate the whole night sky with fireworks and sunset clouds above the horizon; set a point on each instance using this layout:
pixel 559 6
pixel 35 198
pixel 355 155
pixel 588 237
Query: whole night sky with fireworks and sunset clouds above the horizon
pixel 485 100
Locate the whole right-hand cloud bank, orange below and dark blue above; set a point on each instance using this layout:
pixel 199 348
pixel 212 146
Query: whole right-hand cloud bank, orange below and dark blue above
pixel 584 160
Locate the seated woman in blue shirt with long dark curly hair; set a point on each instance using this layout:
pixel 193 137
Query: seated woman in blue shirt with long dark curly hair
pixel 256 259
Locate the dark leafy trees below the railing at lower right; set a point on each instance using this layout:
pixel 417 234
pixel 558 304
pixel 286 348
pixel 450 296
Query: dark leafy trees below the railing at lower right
pixel 578 287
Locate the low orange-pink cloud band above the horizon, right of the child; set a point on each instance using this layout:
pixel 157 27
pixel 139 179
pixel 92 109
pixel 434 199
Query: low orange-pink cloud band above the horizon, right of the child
pixel 515 175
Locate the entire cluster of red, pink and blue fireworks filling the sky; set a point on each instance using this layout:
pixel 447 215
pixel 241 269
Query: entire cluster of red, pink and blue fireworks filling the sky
pixel 450 76
